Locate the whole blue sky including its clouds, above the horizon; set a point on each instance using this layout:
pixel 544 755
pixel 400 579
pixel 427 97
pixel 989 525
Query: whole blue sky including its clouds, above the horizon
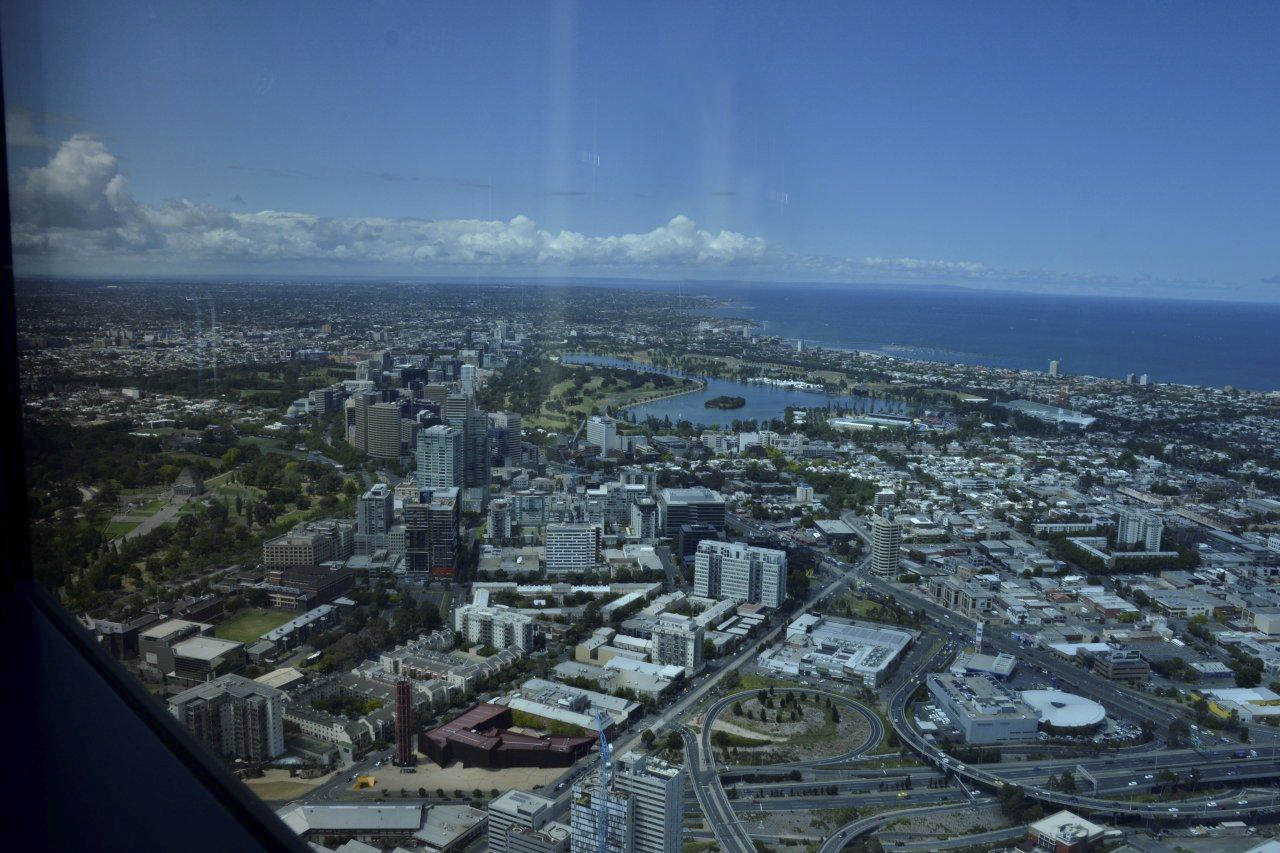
pixel 1094 147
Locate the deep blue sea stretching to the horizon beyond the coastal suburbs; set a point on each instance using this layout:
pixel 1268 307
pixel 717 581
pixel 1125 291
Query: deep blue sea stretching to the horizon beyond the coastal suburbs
pixel 1180 341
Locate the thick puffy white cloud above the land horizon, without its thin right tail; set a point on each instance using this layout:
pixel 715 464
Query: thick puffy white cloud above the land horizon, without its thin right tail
pixel 80 206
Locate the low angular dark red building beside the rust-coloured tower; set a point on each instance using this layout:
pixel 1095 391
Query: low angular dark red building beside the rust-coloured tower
pixel 479 738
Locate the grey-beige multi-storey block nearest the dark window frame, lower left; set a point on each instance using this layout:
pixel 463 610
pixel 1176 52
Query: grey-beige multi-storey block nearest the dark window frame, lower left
pixel 235 718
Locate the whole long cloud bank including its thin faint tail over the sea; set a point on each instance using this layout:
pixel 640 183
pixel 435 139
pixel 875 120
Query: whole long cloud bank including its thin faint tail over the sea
pixel 77 212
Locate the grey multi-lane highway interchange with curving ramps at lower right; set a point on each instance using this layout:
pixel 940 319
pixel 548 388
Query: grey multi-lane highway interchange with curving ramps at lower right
pixel 1117 773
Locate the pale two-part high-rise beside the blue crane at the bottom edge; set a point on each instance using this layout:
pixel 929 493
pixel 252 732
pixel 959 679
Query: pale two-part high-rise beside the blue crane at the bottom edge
pixel 644 808
